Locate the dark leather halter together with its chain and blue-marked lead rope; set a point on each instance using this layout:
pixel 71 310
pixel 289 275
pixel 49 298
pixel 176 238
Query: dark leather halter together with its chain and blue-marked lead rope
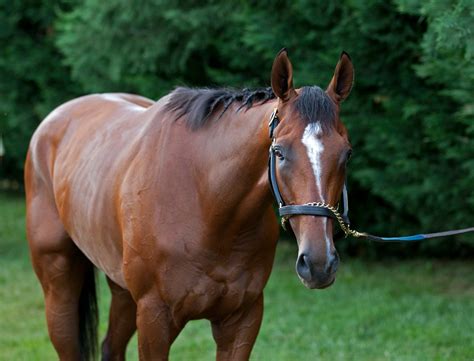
pixel 321 209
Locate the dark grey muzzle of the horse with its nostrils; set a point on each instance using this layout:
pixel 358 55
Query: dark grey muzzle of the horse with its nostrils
pixel 315 276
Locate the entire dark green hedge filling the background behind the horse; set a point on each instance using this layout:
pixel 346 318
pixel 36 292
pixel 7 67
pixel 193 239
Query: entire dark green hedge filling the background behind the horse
pixel 410 115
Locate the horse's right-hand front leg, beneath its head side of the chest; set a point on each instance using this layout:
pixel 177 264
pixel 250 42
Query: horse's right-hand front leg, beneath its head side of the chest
pixel 235 335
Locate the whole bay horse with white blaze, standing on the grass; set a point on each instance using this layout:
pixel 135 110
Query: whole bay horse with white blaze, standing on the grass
pixel 171 200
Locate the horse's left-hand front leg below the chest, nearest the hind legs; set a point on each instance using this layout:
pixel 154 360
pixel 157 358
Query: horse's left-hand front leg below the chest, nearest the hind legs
pixel 156 329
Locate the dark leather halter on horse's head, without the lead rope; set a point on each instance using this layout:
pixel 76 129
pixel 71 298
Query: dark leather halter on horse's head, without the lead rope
pixel 309 209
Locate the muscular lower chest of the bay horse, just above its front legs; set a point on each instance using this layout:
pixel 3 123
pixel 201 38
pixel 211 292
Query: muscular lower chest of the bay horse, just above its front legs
pixel 208 286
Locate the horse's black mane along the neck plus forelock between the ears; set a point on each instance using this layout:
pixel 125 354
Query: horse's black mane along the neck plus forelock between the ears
pixel 196 105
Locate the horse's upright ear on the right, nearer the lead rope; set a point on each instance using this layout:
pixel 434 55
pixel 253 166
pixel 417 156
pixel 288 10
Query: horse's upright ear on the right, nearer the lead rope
pixel 341 83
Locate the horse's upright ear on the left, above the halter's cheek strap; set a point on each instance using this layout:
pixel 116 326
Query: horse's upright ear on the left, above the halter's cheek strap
pixel 282 76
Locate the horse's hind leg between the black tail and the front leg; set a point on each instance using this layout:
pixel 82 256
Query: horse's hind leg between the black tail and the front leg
pixel 122 323
